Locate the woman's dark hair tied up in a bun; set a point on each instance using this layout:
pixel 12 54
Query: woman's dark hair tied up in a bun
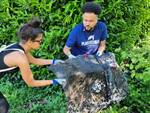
pixel 30 30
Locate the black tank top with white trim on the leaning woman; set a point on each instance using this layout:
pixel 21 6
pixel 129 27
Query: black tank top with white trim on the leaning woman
pixel 11 48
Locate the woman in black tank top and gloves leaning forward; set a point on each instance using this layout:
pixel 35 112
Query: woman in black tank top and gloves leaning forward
pixel 19 56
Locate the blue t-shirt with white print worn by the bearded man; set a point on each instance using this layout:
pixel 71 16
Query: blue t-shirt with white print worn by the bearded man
pixel 82 41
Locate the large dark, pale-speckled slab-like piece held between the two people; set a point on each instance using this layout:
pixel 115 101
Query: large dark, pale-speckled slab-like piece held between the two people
pixel 93 82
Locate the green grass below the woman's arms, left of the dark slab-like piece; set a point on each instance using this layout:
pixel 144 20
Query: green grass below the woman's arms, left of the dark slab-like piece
pixel 23 99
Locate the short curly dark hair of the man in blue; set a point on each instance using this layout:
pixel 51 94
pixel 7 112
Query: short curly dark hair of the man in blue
pixel 91 7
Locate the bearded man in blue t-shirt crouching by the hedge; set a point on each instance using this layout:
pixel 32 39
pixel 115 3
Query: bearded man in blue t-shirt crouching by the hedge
pixel 88 37
